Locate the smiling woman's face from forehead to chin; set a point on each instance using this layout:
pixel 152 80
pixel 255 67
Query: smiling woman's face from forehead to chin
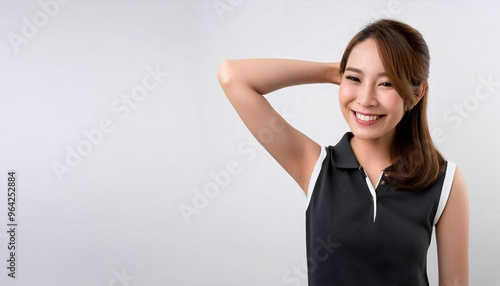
pixel 369 103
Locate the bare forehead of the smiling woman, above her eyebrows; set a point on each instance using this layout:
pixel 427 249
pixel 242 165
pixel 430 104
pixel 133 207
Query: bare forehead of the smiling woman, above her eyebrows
pixel 365 56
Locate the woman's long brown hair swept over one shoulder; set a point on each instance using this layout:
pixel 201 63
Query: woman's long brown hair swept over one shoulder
pixel 405 56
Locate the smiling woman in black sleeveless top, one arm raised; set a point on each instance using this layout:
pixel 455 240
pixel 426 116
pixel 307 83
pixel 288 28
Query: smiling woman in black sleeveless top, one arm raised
pixel 375 197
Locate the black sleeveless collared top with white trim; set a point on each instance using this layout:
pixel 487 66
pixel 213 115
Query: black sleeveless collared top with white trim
pixel 360 235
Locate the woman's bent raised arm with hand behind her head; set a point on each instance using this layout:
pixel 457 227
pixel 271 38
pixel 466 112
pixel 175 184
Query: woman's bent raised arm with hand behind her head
pixel 245 81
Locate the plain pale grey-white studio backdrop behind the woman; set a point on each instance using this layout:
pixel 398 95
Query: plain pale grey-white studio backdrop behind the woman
pixel 114 217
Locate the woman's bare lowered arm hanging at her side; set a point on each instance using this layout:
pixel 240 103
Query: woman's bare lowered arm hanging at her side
pixel 452 234
